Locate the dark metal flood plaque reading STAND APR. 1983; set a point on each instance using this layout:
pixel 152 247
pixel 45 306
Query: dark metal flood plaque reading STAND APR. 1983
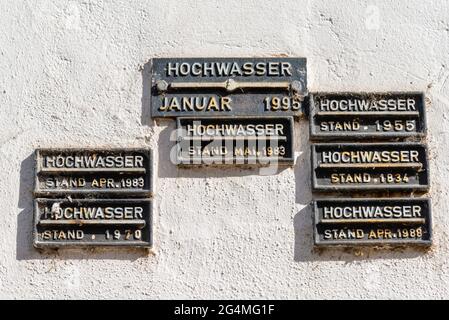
pixel 125 172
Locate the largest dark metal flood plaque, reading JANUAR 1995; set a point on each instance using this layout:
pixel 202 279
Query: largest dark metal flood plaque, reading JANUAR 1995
pixel 228 86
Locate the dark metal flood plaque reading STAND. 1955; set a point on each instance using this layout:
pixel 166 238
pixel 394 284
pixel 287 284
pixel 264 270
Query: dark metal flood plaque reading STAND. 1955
pixel 367 115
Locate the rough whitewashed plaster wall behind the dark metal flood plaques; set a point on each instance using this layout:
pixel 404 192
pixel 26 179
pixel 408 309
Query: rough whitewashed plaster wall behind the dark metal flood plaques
pixel 73 75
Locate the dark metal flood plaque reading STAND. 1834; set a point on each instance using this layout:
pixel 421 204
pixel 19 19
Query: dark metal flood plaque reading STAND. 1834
pixel 369 167
